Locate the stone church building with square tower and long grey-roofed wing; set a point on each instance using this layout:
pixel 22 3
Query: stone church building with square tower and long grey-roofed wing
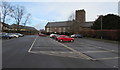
pixel 74 26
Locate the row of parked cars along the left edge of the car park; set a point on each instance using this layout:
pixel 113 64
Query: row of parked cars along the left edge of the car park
pixel 10 35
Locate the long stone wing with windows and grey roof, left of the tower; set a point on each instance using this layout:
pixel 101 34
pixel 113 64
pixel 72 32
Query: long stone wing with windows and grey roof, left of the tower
pixel 59 27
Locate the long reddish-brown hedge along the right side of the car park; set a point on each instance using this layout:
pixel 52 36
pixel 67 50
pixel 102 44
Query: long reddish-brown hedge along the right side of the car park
pixel 106 34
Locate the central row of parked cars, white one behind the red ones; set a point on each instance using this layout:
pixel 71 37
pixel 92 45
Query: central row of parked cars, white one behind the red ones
pixel 62 38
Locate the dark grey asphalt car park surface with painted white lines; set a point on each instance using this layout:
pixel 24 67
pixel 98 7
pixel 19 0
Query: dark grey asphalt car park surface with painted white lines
pixel 44 52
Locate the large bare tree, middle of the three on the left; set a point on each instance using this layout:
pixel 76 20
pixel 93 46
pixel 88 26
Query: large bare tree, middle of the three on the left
pixel 17 13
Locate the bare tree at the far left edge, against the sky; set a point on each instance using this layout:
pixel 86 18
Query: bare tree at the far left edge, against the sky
pixel 6 7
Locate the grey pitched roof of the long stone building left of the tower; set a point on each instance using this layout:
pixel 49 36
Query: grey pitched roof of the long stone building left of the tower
pixel 59 24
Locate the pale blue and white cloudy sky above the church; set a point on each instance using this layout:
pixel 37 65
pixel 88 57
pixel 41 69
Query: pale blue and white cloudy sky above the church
pixel 43 12
